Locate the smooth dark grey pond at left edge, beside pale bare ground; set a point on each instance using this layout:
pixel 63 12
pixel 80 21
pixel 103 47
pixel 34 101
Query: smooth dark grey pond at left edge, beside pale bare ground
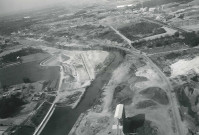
pixel 14 74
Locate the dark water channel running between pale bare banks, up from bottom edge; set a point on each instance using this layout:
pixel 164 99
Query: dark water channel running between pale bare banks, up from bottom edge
pixel 63 119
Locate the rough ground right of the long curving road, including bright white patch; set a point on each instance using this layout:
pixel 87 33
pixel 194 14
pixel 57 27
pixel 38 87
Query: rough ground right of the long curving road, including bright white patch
pixel 182 68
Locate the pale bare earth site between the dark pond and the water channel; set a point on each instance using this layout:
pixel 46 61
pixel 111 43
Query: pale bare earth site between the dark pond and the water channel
pixel 80 68
